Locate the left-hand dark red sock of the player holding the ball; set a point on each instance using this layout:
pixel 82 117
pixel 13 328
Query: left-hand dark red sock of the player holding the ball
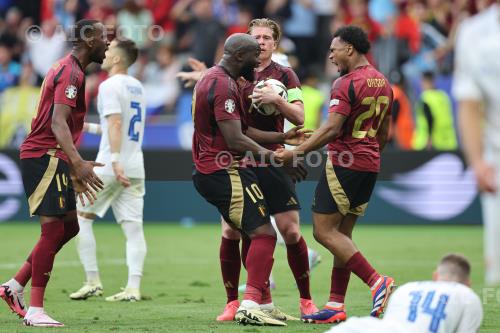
pixel 230 264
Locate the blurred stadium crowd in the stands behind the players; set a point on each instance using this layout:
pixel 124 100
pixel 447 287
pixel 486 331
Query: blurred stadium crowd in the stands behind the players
pixel 412 43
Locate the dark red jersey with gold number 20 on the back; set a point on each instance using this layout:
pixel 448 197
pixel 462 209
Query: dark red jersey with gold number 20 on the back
pixel 364 97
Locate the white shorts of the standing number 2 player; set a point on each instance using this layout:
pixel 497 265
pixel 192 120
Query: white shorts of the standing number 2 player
pixel 127 203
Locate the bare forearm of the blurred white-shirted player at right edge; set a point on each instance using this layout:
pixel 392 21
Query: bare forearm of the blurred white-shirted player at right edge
pixel 470 123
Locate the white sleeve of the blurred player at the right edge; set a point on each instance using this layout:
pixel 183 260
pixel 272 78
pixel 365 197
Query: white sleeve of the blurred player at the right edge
pixel 465 84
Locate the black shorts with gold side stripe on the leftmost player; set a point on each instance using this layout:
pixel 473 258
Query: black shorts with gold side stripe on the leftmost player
pixel 47 185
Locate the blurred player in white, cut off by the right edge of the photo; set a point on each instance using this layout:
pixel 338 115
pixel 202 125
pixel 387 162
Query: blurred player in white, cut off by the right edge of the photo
pixel 475 86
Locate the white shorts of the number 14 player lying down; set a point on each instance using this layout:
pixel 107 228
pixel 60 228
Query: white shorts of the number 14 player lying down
pixel 367 325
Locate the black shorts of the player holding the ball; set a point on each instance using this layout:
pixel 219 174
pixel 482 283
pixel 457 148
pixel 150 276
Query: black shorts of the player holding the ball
pixel 278 188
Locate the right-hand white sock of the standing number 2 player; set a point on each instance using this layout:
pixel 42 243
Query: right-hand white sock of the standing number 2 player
pixel 136 251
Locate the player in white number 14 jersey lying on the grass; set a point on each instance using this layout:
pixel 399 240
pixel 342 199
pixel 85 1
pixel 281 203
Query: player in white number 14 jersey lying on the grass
pixel 445 305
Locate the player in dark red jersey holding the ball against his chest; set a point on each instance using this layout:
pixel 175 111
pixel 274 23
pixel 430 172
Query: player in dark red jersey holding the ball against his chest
pixel 277 185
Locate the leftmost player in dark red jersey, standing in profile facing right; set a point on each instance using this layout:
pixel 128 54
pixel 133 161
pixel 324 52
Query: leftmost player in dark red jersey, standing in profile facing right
pixel 53 170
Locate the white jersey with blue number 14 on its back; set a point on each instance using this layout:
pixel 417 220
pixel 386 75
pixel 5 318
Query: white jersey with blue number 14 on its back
pixel 435 307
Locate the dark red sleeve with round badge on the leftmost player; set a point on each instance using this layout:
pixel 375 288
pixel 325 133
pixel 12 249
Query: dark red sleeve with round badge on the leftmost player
pixel 68 85
